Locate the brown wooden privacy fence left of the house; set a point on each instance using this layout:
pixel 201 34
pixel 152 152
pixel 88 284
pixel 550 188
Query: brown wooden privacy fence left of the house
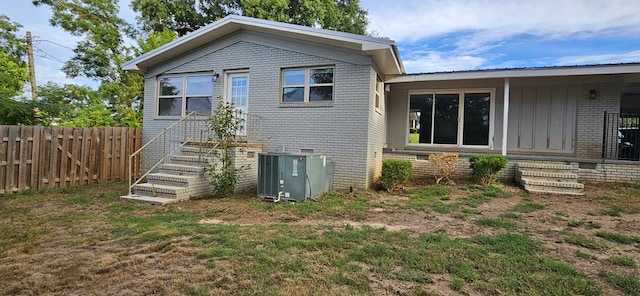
pixel 40 157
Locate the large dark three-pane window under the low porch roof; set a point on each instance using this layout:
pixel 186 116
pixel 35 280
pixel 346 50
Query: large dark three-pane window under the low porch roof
pixel 459 118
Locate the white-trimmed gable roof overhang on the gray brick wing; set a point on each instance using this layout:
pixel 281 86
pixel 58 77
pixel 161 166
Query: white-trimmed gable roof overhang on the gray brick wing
pixel 383 51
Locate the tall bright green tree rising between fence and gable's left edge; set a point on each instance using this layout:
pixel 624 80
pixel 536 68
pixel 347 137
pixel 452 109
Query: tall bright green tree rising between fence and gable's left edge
pixel 100 53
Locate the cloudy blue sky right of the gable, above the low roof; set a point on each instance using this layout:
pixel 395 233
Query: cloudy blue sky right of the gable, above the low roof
pixel 470 34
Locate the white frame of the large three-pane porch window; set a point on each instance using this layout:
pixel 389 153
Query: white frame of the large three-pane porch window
pixel 460 132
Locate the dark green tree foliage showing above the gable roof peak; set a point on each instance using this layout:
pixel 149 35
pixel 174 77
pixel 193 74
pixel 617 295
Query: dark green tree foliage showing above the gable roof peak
pixel 340 15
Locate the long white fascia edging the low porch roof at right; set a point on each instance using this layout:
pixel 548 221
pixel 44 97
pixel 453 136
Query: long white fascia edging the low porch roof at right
pixel 602 69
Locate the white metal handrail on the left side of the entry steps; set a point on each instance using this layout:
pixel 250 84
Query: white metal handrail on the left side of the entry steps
pixel 186 120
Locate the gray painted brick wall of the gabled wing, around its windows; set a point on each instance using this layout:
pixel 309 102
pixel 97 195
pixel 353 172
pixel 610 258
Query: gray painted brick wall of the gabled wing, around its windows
pixel 339 130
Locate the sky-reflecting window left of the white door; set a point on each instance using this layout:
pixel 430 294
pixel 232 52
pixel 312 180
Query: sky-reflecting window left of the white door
pixel 179 95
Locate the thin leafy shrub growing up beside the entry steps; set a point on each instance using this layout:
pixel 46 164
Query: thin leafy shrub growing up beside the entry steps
pixel 225 124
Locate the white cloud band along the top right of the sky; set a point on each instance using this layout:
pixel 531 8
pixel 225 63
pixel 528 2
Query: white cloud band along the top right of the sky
pixel 486 21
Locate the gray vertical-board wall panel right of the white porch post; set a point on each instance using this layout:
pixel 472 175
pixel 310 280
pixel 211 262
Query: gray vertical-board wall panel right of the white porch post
pixel 542 119
